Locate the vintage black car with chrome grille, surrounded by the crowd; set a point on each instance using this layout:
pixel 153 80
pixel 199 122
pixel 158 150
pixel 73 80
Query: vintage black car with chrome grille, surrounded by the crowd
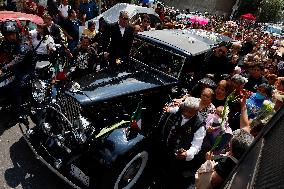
pixel 100 131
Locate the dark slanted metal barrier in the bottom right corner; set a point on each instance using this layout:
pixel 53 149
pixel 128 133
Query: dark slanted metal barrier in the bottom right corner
pixel 263 165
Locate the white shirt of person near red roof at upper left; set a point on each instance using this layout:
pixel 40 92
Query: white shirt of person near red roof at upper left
pixel 47 43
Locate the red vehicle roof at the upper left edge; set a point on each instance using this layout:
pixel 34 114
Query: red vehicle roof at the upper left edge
pixel 10 15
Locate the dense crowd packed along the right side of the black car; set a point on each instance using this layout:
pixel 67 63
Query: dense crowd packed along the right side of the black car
pixel 239 87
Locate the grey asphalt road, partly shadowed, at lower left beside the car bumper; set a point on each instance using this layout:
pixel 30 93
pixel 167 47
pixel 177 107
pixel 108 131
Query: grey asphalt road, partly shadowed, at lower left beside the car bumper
pixel 18 167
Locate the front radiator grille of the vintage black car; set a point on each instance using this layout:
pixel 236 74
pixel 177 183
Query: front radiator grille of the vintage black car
pixel 69 107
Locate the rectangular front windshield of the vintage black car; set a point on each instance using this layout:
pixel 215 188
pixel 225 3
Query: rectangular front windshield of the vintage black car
pixel 157 58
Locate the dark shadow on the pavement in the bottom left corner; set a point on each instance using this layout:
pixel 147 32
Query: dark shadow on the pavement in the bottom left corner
pixel 28 171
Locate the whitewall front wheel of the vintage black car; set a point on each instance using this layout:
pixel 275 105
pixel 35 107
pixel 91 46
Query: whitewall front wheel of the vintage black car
pixel 141 160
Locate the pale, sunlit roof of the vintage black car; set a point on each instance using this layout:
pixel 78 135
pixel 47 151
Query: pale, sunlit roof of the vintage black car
pixel 189 41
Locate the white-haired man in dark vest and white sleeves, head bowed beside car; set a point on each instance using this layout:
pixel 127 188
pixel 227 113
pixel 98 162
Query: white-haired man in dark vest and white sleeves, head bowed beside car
pixel 184 139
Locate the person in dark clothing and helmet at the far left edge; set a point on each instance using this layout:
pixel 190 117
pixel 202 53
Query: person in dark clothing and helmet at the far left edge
pixel 18 62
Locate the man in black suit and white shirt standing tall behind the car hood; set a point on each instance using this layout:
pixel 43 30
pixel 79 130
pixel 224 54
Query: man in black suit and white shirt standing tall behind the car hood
pixel 121 38
